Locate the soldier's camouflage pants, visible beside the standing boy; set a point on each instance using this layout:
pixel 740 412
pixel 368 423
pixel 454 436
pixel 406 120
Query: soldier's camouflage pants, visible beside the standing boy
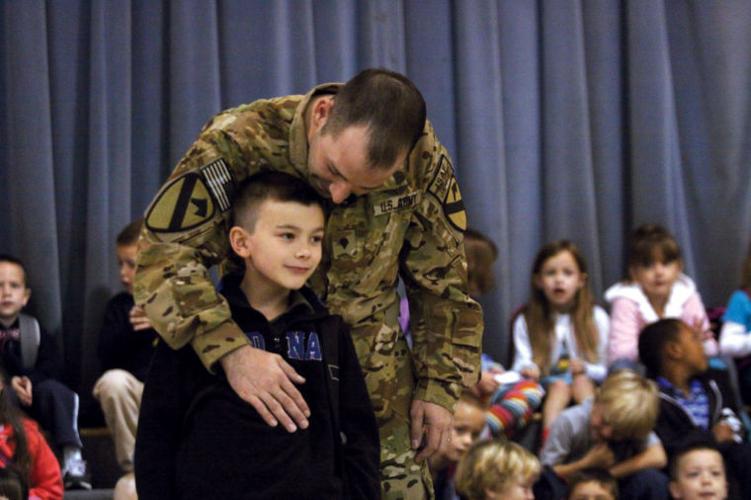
pixel 389 376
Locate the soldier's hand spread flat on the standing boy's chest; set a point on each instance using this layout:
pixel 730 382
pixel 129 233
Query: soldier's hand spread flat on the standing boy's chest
pixel 265 381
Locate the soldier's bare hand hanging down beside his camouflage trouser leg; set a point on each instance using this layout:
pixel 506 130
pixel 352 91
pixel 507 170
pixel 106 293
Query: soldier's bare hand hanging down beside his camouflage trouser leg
pixel 430 428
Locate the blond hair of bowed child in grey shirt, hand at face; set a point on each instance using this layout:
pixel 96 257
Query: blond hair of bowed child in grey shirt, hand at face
pixel 630 404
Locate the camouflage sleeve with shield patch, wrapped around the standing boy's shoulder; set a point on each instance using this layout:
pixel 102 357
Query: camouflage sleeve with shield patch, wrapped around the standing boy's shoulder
pixel 185 234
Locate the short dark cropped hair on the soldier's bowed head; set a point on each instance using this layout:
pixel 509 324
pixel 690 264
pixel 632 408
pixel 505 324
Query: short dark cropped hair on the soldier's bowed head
pixel 389 105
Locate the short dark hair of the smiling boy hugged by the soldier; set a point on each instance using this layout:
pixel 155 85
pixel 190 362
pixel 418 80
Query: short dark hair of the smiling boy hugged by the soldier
pixel 269 185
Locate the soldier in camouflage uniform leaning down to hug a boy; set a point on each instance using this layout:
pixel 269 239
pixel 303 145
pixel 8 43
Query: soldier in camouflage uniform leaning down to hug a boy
pixel 395 211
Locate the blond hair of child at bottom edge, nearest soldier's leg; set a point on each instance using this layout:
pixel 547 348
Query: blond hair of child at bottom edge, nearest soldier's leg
pixel 491 465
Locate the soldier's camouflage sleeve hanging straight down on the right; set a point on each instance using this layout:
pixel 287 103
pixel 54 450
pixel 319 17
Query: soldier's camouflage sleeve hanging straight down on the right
pixel 446 323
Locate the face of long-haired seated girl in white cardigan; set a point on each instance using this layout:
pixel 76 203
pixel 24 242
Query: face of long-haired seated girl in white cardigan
pixel 560 279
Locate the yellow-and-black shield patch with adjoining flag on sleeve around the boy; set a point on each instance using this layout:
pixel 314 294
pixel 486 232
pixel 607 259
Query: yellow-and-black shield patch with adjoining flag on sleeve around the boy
pixel 191 199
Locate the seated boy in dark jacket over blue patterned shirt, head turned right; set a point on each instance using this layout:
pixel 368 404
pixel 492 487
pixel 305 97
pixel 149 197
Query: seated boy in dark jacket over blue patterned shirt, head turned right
pixel 694 400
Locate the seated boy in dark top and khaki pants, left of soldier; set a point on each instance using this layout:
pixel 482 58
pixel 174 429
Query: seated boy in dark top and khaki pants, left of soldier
pixel 126 344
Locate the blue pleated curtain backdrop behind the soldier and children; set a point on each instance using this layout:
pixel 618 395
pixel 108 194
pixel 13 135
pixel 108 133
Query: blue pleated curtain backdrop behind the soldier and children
pixel 566 119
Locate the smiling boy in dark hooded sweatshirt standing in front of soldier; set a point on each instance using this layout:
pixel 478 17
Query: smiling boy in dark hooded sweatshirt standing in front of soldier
pixel 198 439
